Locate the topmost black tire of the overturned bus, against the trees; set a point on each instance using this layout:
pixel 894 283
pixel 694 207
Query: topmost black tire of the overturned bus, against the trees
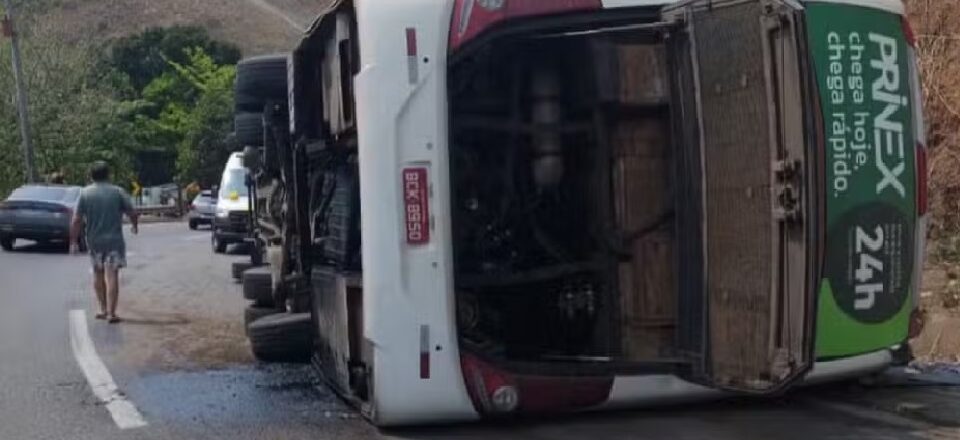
pixel 261 79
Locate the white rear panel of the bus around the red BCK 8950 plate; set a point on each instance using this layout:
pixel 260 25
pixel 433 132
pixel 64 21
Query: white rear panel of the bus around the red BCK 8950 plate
pixel 409 309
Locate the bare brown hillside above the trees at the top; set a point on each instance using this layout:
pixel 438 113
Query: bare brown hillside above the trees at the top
pixel 256 26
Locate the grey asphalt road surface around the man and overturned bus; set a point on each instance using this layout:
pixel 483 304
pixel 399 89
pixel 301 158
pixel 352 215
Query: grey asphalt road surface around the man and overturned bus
pixel 181 358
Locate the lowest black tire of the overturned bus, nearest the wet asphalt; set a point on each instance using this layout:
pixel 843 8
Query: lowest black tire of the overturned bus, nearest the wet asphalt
pixel 283 337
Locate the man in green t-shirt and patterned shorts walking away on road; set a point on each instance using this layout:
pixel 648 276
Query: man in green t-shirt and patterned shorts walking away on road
pixel 100 212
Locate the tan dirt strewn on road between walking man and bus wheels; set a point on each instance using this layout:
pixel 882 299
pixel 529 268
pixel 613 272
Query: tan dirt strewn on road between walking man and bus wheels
pixel 181 308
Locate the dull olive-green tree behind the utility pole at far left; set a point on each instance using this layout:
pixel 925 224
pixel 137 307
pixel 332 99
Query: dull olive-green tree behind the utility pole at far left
pixel 77 118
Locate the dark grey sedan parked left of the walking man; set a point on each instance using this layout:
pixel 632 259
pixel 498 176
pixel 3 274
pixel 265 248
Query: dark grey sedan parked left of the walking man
pixel 41 213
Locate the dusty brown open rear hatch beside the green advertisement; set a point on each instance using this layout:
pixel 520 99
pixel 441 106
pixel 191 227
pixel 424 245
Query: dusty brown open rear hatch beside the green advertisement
pixel 740 105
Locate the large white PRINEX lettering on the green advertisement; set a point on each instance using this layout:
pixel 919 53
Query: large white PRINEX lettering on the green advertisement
pixel 888 131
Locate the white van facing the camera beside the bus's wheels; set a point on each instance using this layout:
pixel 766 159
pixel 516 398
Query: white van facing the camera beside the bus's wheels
pixel 232 222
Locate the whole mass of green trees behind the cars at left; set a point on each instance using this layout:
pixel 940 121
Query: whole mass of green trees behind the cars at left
pixel 166 92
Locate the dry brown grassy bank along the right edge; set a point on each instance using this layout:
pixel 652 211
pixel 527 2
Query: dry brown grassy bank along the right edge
pixel 936 25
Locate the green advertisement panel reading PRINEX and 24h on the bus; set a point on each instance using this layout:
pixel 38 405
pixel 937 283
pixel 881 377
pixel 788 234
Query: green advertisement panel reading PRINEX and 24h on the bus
pixel 861 59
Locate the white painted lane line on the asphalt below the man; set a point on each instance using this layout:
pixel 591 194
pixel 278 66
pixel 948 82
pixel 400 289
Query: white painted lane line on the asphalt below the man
pixel 124 413
